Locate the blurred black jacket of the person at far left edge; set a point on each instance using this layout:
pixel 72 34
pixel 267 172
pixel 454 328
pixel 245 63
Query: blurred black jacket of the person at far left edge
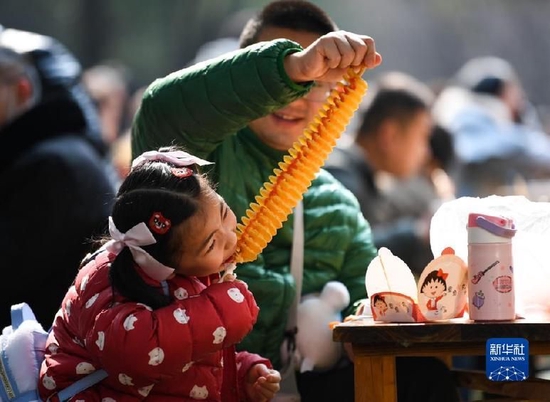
pixel 56 190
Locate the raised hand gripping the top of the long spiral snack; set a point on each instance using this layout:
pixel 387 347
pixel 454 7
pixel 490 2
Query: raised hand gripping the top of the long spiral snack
pixel 328 58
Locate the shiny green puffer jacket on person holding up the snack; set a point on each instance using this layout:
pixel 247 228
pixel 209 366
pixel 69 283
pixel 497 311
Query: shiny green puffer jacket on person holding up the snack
pixel 206 108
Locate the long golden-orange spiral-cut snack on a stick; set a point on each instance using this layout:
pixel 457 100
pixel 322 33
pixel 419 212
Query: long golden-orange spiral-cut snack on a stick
pixel 286 187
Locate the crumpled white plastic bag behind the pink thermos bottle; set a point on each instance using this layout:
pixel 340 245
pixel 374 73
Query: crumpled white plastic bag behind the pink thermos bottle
pixel 530 244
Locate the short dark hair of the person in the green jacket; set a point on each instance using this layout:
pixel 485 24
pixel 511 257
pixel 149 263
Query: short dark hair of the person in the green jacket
pixel 298 15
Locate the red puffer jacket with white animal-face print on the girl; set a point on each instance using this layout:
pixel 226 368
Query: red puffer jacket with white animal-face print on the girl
pixel 172 353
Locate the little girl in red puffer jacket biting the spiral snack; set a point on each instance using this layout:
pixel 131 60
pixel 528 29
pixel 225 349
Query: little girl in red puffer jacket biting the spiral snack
pixel 149 307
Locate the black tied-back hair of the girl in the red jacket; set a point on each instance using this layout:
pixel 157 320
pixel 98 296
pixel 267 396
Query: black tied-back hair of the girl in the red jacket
pixel 148 189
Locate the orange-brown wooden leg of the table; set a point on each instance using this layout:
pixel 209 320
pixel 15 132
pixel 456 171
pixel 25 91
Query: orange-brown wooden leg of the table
pixel 375 378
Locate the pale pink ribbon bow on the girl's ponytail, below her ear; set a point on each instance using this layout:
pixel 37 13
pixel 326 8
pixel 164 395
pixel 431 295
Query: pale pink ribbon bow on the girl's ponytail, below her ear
pixel 139 235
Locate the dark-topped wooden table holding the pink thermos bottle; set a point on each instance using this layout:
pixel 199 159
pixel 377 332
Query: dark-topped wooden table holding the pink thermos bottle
pixel 376 345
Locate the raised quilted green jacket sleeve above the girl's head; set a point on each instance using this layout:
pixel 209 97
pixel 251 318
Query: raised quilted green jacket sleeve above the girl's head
pixel 199 106
